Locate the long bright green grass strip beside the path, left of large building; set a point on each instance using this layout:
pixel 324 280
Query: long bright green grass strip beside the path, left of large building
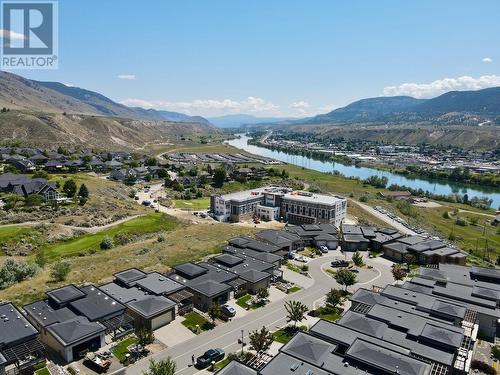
pixel 151 223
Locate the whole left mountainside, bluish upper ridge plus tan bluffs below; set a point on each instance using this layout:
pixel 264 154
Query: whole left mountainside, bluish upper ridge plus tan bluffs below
pixel 43 114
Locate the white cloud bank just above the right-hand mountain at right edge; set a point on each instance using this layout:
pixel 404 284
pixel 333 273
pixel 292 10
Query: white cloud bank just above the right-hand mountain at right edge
pixel 426 90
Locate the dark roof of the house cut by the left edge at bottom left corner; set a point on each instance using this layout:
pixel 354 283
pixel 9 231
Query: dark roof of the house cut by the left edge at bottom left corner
pixel 14 327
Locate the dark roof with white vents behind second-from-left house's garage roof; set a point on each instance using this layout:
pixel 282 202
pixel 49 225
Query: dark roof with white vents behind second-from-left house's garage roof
pixel 96 304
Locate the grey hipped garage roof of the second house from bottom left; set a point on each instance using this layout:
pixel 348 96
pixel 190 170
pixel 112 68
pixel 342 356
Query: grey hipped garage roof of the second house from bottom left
pixel 75 330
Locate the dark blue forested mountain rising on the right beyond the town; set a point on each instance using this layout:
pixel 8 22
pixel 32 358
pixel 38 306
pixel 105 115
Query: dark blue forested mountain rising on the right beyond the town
pixel 455 107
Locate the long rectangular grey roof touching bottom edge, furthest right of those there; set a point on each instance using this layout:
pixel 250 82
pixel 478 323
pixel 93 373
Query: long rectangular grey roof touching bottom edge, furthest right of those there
pixel 386 360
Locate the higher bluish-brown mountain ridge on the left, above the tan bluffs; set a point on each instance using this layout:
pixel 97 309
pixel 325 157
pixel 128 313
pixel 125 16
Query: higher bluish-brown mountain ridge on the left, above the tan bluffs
pixel 20 93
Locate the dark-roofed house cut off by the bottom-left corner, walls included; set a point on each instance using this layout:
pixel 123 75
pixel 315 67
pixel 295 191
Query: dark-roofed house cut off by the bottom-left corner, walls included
pixel 20 348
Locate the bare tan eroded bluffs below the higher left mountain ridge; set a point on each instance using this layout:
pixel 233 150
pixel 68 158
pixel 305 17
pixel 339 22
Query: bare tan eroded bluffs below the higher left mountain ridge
pixel 43 129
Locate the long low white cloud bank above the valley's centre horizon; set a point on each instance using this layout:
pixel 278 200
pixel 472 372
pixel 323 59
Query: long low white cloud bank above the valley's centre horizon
pixel 251 104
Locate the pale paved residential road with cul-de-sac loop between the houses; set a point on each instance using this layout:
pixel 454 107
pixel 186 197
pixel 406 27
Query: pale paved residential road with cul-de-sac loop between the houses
pixel 272 316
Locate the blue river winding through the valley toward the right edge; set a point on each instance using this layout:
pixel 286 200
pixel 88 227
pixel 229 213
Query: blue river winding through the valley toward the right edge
pixel 436 187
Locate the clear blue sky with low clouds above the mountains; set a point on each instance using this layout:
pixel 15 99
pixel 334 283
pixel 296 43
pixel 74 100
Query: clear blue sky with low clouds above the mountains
pixel 274 58
